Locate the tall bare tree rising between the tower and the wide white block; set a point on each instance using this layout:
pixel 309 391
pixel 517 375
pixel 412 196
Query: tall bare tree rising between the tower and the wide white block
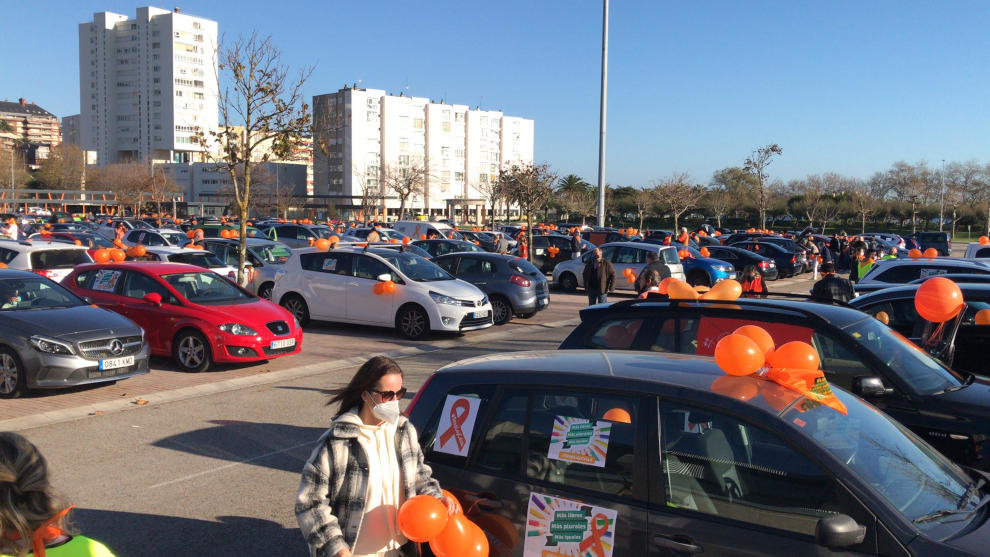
pixel 262 97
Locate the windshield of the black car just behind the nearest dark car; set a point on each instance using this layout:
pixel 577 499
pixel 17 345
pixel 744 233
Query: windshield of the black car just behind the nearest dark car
pixel 916 368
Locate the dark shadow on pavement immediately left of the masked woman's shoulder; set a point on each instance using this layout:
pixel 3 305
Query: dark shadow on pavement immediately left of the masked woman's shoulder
pixel 278 446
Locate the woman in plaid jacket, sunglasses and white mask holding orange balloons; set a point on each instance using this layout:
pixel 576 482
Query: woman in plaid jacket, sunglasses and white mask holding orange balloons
pixel 363 468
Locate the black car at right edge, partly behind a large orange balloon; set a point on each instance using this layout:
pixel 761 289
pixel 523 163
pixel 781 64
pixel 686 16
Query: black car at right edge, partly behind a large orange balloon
pixel 965 350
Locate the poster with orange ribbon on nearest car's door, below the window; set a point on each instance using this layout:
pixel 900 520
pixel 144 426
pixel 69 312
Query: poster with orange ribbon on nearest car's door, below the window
pixel 558 527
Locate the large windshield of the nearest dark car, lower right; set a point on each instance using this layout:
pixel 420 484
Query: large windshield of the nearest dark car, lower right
pixel 912 476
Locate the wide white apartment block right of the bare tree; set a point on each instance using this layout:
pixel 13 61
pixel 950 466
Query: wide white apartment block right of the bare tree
pixel 363 129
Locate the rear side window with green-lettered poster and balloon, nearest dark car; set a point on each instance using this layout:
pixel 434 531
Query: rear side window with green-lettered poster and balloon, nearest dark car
pixel 583 440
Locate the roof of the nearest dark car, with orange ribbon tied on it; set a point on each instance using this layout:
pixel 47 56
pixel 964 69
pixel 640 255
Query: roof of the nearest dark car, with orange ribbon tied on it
pixel 684 371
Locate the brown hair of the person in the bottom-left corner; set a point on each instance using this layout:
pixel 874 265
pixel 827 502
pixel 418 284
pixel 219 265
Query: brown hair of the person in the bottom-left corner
pixel 25 493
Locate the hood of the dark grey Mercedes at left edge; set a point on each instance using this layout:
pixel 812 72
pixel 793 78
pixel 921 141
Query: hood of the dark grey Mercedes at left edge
pixel 73 324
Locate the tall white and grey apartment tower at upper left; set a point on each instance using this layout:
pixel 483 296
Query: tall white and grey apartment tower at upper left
pixel 146 84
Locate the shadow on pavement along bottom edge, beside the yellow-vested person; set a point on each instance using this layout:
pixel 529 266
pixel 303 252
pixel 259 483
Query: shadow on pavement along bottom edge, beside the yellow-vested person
pixel 128 533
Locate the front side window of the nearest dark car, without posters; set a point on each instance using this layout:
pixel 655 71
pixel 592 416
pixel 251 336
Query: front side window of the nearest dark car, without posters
pixel 723 466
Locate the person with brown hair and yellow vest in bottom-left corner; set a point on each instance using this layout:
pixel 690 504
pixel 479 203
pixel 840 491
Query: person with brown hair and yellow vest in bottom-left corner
pixel 31 522
